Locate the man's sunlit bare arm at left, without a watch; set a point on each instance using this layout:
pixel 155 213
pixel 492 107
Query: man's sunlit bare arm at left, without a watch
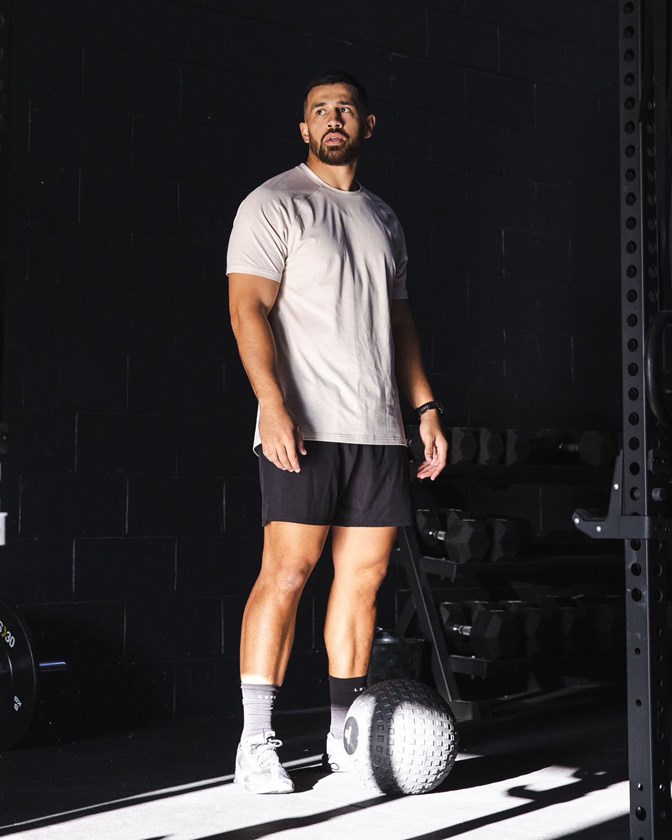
pixel 251 299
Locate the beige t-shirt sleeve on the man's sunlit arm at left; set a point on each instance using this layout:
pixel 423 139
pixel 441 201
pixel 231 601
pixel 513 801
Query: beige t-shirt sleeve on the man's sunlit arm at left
pixel 258 241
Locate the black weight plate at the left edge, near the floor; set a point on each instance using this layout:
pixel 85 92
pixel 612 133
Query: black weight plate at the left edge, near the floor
pixel 18 678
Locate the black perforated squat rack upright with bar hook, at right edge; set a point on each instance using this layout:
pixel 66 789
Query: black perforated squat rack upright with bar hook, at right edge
pixel 639 509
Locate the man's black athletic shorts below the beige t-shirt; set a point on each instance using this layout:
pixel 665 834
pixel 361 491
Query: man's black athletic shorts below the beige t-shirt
pixel 348 484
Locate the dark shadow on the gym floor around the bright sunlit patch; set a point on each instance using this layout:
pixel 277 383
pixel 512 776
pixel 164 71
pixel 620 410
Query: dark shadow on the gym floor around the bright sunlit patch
pixel 587 730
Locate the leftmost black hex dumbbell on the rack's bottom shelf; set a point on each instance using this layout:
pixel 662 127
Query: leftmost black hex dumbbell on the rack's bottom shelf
pixel 494 633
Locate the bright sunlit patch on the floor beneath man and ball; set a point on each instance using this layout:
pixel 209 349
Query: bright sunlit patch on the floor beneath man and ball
pixel 545 805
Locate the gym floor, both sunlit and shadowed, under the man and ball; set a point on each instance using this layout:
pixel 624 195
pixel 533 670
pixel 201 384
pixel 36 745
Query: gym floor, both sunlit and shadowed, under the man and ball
pixel 544 769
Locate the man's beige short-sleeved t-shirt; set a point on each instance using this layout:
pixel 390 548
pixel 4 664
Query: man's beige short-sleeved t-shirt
pixel 340 257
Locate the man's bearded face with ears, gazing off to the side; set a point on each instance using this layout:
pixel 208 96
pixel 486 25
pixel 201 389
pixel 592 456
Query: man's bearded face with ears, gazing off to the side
pixel 334 124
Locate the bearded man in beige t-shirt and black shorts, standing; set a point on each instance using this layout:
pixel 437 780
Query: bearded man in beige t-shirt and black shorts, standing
pixel 317 268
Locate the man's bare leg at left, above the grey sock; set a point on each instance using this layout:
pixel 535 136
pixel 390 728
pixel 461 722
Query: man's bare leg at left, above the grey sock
pixel 291 551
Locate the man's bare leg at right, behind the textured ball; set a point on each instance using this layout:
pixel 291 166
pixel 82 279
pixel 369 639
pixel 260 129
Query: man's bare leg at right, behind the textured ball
pixel 361 557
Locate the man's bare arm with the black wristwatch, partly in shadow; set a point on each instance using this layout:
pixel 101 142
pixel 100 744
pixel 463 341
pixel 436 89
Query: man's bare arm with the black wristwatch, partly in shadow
pixel 415 386
